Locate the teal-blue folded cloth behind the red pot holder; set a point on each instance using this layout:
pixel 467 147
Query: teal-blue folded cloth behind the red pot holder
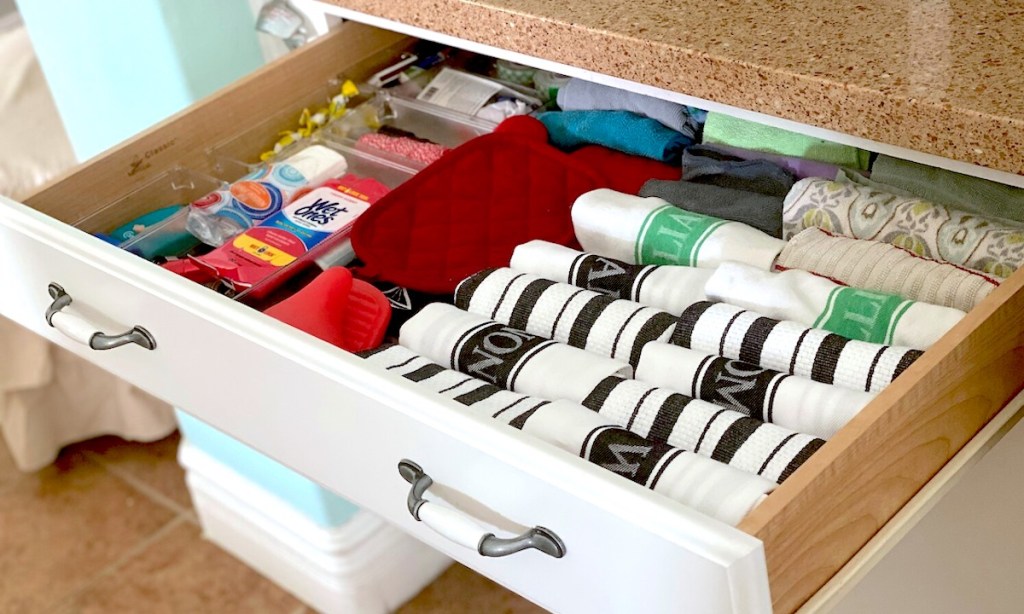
pixel 622 130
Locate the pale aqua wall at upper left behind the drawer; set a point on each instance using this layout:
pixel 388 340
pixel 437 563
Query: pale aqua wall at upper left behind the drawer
pixel 117 67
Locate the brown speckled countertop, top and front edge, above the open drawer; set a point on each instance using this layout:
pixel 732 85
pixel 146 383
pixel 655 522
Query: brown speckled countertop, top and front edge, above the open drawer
pixel 945 77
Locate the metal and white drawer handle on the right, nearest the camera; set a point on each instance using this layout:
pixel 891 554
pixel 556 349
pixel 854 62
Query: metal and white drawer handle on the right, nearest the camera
pixel 464 531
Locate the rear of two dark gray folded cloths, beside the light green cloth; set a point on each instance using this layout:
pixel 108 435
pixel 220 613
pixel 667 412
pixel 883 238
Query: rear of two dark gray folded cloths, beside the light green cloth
pixel 710 166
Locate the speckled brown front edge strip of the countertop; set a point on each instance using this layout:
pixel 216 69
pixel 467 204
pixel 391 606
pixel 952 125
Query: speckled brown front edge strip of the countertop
pixel 956 134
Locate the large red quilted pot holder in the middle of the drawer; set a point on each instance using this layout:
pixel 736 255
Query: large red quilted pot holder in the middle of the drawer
pixel 471 209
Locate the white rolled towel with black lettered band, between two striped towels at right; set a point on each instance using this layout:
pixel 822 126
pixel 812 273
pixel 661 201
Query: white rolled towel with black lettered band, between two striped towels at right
pixel 773 397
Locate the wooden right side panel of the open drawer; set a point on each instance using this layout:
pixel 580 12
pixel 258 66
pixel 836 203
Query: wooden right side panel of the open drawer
pixel 830 508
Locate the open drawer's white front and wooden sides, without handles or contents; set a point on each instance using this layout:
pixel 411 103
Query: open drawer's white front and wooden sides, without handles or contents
pixel 325 414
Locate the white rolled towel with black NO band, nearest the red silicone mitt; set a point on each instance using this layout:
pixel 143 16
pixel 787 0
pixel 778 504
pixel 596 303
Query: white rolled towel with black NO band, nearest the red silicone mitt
pixel 504 357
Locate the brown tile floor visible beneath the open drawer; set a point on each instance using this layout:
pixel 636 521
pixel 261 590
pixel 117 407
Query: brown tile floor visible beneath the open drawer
pixel 110 529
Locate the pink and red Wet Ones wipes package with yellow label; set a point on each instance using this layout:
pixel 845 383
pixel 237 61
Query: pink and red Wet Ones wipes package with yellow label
pixel 265 256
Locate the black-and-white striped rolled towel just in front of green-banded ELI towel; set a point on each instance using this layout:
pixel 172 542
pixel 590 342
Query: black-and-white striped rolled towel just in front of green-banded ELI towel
pixel 736 333
